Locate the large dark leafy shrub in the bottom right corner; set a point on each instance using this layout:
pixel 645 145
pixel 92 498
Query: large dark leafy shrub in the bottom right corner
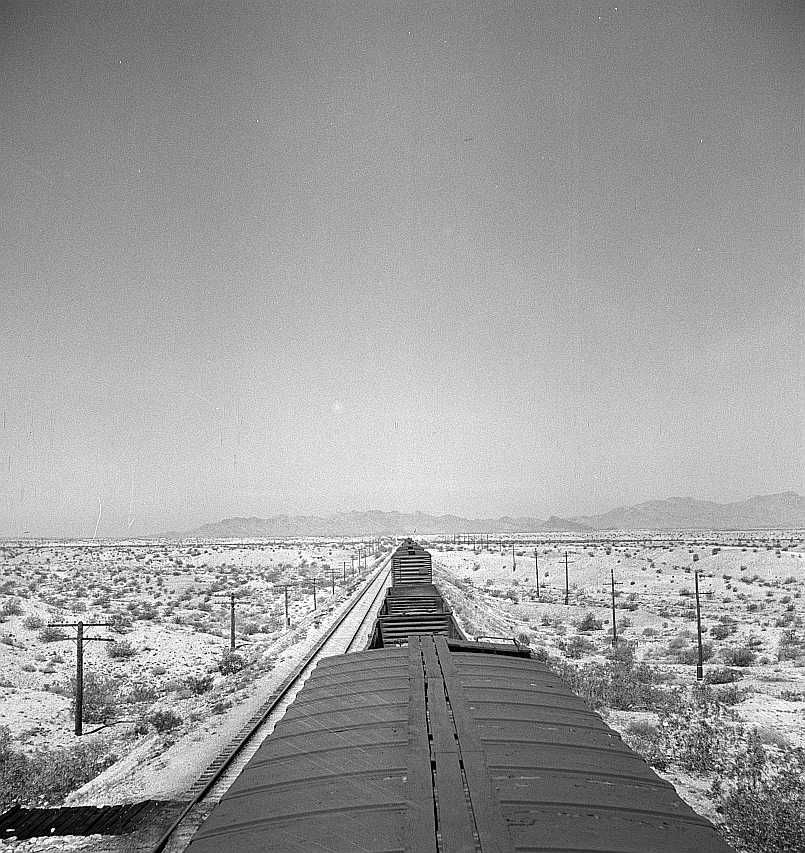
pixel 761 797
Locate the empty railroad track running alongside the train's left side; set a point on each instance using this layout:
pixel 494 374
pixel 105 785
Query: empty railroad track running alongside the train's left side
pixel 349 633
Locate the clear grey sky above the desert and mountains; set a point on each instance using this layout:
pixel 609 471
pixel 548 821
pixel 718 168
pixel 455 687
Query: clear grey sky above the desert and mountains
pixel 521 258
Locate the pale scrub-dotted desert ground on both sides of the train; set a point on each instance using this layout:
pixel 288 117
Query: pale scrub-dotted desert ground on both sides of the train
pixel 166 695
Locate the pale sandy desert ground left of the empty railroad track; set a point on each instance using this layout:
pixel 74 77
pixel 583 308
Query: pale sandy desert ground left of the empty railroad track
pixel 175 615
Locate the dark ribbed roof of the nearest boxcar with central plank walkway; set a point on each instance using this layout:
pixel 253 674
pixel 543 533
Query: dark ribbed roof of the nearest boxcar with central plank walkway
pixel 423 749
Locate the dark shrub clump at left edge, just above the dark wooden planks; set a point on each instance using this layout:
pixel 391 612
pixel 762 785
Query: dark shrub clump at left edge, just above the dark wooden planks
pixel 47 776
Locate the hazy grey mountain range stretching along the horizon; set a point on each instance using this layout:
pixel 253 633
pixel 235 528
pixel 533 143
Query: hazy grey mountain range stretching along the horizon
pixel 784 510
